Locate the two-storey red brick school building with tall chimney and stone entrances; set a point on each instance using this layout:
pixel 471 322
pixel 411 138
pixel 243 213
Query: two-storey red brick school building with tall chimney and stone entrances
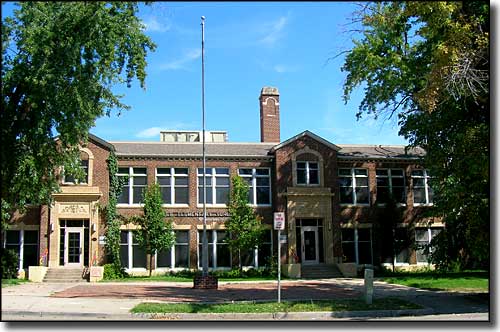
pixel 333 197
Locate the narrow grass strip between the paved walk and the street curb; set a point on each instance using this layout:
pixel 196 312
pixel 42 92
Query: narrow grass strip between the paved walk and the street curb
pixel 357 304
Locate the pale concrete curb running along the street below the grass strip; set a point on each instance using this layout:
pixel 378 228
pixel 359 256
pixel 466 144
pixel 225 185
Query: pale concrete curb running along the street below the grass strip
pixel 326 315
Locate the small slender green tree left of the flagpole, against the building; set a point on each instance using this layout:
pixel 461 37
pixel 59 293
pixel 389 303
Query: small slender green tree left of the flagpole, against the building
pixel 155 233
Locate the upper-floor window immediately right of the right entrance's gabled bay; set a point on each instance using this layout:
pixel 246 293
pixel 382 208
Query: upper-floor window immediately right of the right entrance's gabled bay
pixel 353 183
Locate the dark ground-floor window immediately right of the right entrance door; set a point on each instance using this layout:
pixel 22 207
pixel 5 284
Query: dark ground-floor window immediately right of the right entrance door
pixel 357 245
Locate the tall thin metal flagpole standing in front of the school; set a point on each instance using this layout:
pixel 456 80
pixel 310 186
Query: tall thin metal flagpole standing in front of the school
pixel 205 241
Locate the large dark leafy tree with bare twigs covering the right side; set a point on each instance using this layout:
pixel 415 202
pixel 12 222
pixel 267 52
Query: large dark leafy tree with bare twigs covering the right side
pixel 428 63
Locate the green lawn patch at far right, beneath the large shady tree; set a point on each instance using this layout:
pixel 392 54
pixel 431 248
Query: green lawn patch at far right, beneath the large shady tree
pixel 460 281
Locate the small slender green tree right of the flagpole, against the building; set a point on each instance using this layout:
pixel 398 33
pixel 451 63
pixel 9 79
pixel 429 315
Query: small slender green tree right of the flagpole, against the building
pixel 244 226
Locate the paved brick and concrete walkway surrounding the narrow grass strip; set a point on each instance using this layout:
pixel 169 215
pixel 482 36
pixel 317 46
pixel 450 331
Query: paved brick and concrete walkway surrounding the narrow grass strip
pixel 113 301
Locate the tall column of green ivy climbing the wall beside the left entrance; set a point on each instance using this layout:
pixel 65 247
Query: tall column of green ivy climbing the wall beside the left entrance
pixel 112 220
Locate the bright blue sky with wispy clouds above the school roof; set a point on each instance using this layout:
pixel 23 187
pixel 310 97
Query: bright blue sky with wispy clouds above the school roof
pixel 248 45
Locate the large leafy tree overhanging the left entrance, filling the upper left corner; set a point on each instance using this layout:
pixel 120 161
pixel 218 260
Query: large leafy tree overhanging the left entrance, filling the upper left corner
pixel 60 62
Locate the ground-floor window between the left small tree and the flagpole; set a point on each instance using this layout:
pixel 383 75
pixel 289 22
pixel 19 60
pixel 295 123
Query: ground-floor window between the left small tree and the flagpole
pixel 178 254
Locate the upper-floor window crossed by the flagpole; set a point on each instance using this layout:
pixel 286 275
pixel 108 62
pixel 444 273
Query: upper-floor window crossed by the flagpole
pixel 217 186
